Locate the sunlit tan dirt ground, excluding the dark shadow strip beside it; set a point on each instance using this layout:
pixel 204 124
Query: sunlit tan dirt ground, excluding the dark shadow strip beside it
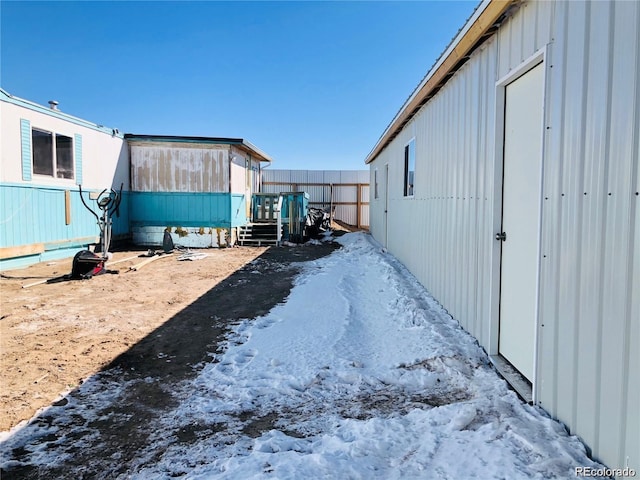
pixel 53 336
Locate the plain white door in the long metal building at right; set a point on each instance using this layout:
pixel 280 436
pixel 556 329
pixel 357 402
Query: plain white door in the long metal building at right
pixel 521 218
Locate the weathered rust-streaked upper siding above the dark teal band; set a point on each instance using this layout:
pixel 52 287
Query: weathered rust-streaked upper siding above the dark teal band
pixel 162 168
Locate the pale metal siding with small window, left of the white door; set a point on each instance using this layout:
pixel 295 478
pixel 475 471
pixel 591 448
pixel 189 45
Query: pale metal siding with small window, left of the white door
pixel 452 207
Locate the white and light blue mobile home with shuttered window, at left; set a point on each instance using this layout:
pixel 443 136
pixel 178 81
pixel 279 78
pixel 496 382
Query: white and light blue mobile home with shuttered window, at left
pixel 45 155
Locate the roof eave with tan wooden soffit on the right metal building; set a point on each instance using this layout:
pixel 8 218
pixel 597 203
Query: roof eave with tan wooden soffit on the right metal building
pixel 482 24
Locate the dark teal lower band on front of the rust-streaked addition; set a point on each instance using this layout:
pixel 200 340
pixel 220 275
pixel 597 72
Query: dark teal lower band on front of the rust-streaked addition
pixel 180 209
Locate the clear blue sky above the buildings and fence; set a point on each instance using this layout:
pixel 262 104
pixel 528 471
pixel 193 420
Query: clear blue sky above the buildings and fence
pixel 313 84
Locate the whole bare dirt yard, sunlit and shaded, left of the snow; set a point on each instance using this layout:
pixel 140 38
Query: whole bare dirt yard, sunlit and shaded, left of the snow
pixel 147 329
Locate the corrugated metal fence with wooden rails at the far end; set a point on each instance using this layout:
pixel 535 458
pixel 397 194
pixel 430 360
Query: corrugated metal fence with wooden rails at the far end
pixel 346 191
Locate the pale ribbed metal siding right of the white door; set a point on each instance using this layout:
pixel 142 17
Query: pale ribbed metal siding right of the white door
pixel 589 352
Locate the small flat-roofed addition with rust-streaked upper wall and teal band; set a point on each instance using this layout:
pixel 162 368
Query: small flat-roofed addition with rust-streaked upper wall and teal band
pixel 199 188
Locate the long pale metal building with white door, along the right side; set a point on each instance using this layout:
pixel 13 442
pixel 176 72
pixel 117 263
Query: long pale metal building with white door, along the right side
pixel 508 184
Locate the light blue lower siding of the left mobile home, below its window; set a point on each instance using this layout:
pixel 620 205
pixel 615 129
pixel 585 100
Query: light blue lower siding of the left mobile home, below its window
pixel 36 214
